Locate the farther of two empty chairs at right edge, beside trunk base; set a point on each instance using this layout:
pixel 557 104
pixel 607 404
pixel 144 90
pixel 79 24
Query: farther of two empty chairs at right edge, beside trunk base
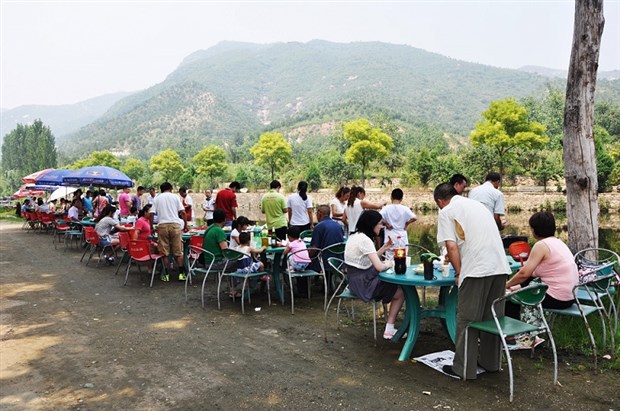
pixel 603 262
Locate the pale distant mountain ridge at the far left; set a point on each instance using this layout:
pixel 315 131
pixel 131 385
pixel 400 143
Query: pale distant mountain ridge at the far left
pixel 63 119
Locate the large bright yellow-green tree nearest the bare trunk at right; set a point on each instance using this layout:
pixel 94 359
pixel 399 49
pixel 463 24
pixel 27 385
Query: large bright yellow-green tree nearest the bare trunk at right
pixel 506 128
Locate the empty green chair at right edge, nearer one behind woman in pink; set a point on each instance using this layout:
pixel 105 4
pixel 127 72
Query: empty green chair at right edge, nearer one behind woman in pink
pixel 579 309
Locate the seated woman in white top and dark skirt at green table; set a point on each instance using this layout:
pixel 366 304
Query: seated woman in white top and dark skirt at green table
pixel 363 267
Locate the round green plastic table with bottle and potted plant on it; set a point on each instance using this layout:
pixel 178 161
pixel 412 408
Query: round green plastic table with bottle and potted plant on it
pixel 414 312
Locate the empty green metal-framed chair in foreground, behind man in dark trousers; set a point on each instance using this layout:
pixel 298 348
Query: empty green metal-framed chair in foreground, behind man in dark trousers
pixel 503 327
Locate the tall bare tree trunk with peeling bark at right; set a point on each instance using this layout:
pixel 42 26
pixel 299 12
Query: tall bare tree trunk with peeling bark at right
pixel 579 154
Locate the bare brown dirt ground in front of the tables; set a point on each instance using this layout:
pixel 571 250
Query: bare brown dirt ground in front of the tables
pixel 72 337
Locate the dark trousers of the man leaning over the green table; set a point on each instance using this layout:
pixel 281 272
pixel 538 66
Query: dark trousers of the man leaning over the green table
pixel 476 296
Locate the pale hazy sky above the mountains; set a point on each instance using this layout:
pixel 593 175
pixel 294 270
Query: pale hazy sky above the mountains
pixel 59 52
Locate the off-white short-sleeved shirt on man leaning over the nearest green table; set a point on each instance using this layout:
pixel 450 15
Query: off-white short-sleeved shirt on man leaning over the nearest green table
pixel 468 223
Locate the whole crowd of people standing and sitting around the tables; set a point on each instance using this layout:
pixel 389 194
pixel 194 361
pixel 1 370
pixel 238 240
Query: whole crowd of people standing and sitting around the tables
pixel 468 233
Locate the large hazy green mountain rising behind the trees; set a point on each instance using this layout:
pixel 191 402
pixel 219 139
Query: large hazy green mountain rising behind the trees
pixel 237 89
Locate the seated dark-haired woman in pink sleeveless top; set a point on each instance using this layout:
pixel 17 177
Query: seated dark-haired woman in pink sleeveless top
pixel 551 261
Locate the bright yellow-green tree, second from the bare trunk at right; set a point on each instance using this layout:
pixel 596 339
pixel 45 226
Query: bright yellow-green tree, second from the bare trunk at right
pixel 367 144
